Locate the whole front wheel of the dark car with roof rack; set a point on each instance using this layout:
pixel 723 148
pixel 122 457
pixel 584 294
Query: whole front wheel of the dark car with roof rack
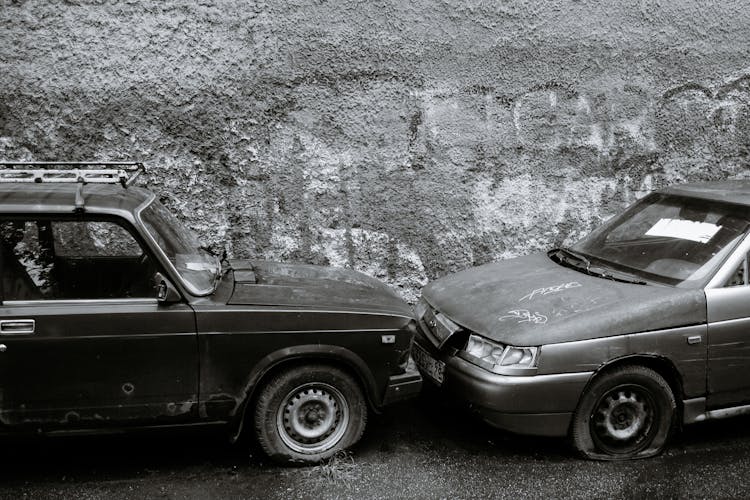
pixel 308 413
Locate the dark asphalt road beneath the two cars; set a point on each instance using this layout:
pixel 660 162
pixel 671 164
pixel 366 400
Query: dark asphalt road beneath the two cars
pixel 418 449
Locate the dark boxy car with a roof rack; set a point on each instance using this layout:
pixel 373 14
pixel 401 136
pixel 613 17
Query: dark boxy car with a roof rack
pixel 114 317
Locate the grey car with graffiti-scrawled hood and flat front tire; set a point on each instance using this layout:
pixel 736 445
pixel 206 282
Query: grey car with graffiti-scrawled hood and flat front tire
pixel 615 341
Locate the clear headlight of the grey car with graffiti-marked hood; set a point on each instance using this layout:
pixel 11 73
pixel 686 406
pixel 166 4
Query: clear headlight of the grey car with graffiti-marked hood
pixel 497 358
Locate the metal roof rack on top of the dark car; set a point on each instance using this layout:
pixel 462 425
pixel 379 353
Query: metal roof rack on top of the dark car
pixel 108 172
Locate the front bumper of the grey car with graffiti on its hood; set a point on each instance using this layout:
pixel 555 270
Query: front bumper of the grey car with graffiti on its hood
pixel 539 404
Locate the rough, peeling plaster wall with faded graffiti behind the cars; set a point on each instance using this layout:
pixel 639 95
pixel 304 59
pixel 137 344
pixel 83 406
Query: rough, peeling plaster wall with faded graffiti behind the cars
pixel 403 139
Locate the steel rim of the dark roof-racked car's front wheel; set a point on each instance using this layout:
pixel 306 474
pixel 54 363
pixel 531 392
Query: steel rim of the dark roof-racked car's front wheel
pixel 312 418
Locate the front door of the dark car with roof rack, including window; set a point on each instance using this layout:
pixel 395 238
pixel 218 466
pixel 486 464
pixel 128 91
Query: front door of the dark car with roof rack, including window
pixel 83 340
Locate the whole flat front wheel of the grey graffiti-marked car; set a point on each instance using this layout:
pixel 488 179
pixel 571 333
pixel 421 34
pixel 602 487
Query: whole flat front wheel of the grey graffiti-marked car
pixel 626 413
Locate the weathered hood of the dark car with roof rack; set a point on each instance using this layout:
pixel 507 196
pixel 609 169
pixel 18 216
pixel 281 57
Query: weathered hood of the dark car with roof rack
pixel 300 285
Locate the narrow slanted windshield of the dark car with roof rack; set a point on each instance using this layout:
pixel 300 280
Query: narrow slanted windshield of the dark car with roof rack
pixel 197 268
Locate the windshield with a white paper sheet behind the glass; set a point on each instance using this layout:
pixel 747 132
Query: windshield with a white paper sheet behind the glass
pixel 669 239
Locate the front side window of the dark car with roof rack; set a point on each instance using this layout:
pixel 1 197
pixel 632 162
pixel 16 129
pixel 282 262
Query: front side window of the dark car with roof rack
pixel 73 259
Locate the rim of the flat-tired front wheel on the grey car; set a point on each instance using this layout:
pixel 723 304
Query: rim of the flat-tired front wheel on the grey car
pixel 624 420
